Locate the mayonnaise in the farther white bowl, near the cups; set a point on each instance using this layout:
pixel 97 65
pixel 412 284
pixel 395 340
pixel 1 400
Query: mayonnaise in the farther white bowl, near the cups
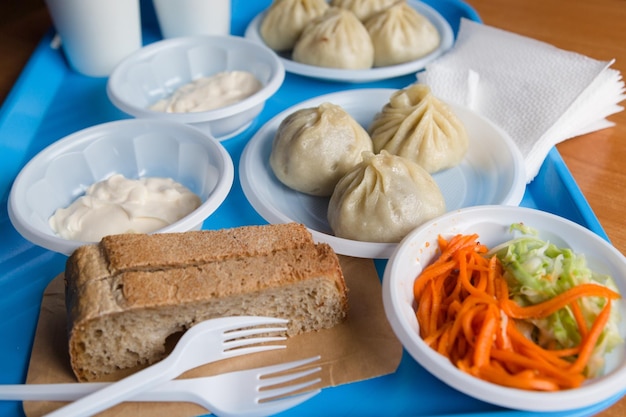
pixel 209 93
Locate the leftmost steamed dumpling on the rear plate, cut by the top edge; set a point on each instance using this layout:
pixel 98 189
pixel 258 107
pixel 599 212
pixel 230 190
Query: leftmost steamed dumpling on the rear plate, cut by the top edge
pixel 285 19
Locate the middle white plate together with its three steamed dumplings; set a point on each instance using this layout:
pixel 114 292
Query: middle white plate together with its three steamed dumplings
pixel 362 168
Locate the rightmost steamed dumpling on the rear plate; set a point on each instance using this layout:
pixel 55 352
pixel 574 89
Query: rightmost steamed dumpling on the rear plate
pixel 400 34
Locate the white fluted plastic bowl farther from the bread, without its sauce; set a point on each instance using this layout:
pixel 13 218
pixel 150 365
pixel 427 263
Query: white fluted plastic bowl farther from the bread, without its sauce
pixel 157 70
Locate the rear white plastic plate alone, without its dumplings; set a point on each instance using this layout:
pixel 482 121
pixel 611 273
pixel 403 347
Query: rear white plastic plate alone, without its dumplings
pixel 336 74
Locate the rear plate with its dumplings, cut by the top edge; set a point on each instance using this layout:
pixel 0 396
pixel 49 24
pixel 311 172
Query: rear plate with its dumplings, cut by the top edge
pixel 352 41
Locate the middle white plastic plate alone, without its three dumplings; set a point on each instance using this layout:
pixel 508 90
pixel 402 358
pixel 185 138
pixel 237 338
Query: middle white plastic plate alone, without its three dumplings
pixel 492 172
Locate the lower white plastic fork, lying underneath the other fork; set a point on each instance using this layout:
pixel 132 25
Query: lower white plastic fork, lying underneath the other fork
pixel 232 394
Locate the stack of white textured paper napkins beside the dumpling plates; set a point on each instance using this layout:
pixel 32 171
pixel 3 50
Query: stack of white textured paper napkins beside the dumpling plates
pixel 539 94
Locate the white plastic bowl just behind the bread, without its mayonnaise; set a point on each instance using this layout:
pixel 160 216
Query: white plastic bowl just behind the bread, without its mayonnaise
pixel 135 148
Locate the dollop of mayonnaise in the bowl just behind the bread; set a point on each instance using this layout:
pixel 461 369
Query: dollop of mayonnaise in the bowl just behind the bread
pixel 120 205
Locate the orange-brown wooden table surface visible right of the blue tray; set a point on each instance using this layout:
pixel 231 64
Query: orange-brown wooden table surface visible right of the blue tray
pixel 596 160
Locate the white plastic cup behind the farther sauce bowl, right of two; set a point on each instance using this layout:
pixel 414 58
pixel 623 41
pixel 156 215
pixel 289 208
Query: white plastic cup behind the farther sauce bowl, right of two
pixel 193 17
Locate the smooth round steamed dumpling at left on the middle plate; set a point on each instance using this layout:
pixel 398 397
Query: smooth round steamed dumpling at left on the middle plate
pixel 314 147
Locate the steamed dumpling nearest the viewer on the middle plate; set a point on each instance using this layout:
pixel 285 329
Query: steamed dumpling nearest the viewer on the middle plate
pixel 382 199
